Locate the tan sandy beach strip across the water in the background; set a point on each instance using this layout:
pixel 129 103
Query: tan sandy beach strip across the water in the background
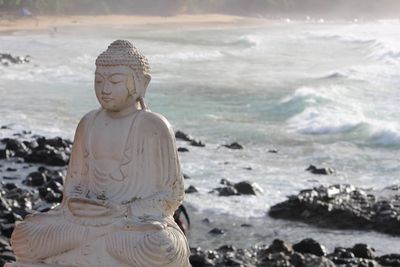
pixel 49 22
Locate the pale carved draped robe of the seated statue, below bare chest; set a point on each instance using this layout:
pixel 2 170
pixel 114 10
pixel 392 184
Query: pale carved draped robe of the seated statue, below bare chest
pixel 128 209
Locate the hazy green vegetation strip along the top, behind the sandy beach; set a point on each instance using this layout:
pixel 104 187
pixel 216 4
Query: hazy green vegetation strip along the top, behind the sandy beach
pixel 172 7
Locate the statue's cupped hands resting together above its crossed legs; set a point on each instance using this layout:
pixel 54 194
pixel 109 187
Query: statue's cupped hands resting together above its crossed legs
pixel 83 207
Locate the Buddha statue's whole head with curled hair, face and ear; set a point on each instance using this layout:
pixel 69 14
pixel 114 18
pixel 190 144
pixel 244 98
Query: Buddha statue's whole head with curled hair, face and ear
pixel 123 72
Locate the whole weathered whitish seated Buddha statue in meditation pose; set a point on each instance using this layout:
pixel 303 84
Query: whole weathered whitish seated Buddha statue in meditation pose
pixel 122 186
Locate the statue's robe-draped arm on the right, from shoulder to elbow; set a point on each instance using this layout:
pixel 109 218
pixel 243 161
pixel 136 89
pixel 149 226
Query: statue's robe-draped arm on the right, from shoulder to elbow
pixel 161 158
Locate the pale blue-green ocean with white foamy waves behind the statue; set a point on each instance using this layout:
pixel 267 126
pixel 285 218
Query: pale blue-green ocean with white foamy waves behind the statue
pixel 320 92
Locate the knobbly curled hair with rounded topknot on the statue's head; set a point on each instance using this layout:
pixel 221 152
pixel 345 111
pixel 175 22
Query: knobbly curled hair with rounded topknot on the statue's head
pixel 122 52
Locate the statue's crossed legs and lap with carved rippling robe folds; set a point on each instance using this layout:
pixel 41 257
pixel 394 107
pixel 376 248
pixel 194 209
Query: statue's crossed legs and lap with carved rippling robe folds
pixel 75 242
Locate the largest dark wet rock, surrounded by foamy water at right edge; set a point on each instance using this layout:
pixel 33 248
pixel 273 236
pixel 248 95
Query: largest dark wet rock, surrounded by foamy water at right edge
pixel 341 207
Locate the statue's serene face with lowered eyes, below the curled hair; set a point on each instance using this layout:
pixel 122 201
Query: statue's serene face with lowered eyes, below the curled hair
pixel 111 87
